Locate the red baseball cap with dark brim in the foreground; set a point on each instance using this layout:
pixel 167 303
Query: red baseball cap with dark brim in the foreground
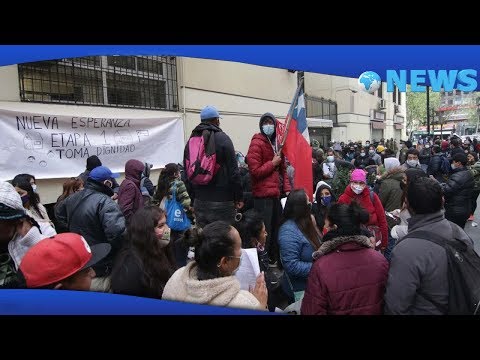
pixel 58 257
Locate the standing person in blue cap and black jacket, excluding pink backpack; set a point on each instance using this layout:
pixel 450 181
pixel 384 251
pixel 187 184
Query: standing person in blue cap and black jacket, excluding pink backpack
pixel 218 199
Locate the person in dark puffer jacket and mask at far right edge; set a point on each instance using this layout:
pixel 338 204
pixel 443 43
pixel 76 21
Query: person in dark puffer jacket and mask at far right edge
pixel 458 191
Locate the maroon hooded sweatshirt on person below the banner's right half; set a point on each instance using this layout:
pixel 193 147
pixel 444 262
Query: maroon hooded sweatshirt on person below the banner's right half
pixel 129 196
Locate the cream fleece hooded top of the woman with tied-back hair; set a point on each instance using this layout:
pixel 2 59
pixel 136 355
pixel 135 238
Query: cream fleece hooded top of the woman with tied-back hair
pixel 222 291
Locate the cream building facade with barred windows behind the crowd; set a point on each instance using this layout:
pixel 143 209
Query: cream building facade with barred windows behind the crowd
pixel 121 86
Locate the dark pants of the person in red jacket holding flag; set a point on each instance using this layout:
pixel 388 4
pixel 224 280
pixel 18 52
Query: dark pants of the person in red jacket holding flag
pixel 271 211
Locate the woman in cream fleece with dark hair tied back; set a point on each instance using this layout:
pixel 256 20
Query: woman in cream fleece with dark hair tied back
pixel 210 279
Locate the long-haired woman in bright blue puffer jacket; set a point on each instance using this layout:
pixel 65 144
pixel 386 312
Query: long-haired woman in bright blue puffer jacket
pixel 298 239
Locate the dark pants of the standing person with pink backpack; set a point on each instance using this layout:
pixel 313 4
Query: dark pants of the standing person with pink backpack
pixel 207 212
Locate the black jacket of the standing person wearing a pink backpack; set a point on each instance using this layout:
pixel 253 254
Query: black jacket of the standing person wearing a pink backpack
pixel 225 185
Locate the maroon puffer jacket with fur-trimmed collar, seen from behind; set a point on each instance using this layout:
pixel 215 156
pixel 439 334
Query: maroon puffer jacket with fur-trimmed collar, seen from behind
pixel 349 278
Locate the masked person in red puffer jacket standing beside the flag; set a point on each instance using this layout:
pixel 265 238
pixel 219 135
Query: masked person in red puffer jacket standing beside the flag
pixel 269 179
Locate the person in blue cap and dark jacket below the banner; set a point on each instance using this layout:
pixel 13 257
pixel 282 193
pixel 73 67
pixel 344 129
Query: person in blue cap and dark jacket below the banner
pixel 94 215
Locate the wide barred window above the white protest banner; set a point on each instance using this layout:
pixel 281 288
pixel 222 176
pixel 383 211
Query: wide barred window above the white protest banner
pixel 145 82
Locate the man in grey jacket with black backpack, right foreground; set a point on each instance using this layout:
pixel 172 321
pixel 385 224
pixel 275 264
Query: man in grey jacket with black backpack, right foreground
pixel 418 276
